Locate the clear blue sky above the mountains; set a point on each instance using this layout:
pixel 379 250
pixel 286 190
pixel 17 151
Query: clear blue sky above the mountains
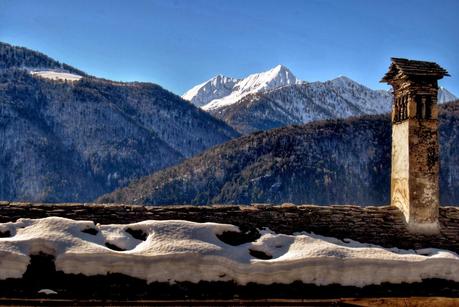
pixel 178 44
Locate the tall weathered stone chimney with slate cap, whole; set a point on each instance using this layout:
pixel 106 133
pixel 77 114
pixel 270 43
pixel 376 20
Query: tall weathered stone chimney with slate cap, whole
pixel 415 151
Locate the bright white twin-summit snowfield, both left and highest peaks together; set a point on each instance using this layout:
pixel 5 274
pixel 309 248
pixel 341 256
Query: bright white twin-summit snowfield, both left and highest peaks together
pixel 222 91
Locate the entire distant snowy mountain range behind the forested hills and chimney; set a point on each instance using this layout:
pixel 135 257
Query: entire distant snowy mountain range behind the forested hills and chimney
pixel 276 98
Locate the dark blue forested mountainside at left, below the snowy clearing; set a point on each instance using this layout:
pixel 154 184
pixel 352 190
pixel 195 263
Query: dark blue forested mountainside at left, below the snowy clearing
pixel 73 141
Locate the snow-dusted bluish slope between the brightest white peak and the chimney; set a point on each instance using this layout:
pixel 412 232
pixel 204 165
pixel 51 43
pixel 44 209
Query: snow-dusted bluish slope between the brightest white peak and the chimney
pixel 302 103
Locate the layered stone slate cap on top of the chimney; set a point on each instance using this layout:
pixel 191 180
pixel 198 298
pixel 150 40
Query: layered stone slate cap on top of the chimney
pixel 400 66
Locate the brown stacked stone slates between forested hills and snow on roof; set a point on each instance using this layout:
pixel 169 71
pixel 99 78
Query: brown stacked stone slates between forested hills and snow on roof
pixel 383 226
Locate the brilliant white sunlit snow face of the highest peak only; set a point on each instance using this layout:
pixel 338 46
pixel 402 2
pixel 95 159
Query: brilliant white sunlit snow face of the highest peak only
pixel 255 83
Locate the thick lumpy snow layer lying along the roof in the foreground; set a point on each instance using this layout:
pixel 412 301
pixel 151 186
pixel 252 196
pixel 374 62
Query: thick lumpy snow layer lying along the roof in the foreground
pixel 188 251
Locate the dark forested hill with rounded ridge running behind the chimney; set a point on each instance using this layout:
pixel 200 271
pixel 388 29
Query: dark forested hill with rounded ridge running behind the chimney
pixel 328 162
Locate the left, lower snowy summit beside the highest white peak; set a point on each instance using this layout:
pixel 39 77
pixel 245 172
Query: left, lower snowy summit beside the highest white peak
pixel 215 88
